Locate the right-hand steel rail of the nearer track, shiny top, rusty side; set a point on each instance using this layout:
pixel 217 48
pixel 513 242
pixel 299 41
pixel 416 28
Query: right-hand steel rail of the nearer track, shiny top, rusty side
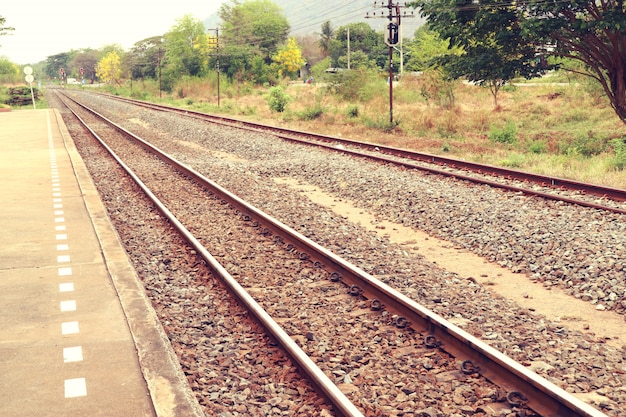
pixel 541 396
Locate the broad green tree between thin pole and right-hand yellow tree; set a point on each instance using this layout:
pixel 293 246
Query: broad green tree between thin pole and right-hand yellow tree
pixel 258 26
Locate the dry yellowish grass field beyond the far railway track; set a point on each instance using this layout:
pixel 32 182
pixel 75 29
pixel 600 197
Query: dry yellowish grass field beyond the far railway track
pixel 549 119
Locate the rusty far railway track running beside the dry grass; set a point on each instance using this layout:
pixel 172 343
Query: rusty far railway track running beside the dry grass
pixel 552 188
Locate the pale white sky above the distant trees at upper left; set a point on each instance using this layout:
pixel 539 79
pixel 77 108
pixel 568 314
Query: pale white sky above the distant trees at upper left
pixel 49 27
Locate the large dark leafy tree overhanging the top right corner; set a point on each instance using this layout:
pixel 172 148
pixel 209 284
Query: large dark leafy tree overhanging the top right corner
pixel 590 31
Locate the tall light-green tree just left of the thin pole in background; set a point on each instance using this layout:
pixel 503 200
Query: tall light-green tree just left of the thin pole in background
pixel 187 46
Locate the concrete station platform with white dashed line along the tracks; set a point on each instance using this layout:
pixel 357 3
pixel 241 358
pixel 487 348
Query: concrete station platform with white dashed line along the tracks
pixel 78 336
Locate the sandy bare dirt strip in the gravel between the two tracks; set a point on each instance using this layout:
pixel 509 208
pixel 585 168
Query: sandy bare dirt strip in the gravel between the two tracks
pixel 551 302
